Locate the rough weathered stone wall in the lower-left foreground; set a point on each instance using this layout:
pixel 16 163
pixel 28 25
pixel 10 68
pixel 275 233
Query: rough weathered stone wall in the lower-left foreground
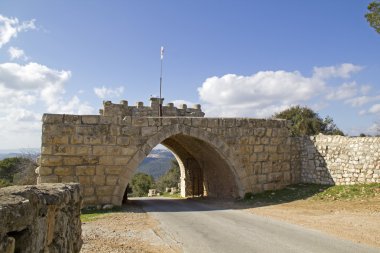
pixel 42 218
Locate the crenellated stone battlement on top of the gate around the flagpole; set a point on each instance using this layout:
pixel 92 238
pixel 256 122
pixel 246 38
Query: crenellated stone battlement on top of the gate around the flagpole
pixel 139 110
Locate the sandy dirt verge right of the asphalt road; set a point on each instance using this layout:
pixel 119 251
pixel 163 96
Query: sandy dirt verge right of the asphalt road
pixel 358 221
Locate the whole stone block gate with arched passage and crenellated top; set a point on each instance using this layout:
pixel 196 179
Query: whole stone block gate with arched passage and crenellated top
pixel 218 157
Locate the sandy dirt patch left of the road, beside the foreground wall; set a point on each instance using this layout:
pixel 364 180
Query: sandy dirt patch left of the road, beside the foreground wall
pixel 130 230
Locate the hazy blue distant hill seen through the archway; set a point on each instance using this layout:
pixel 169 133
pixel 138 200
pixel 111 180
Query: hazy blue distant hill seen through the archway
pixel 156 163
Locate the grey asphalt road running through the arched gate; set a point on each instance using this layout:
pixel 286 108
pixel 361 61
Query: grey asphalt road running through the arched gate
pixel 203 227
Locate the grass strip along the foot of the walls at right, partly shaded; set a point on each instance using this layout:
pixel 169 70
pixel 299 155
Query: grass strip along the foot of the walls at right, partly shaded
pixel 314 192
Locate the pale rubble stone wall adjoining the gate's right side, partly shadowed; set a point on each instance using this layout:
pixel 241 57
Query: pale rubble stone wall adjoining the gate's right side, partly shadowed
pixel 340 160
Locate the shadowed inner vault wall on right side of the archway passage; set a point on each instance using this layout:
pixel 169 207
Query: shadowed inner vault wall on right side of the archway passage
pixel 203 170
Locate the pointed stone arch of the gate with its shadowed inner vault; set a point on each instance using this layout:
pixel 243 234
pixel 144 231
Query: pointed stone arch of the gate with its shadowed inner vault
pixel 206 163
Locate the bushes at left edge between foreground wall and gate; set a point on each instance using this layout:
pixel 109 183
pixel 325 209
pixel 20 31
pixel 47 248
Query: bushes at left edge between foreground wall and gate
pixel 18 171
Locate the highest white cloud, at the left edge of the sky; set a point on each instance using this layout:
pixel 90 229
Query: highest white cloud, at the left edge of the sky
pixel 10 27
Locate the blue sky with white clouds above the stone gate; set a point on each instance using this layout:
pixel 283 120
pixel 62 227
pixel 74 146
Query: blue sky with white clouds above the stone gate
pixel 236 58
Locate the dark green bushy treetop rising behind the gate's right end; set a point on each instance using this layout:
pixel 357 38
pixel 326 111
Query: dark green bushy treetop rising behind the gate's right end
pixel 307 122
